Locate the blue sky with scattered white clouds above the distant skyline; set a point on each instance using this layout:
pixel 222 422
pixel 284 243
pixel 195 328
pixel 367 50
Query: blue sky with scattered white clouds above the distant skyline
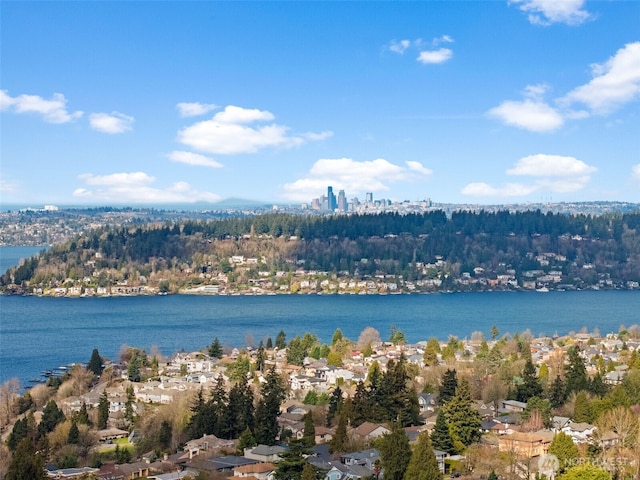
pixel 482 102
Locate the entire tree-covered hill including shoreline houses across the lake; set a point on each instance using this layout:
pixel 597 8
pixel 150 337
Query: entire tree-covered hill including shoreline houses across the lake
pixel 352 253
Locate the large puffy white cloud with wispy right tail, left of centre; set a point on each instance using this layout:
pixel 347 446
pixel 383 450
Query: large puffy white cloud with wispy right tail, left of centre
pixel 228 133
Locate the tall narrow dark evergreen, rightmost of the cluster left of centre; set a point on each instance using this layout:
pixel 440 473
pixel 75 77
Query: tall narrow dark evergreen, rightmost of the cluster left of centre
pixel 272 395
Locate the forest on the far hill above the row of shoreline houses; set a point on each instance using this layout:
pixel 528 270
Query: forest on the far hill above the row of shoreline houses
pixel 357 245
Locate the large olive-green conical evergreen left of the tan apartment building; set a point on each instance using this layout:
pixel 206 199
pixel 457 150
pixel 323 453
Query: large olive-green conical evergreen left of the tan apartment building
pixel 463 418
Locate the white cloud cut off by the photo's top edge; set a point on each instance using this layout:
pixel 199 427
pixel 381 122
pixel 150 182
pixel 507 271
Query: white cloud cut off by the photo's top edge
pixel 546 12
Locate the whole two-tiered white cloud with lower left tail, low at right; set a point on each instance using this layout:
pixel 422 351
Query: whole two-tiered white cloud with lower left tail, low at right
pixel 553 173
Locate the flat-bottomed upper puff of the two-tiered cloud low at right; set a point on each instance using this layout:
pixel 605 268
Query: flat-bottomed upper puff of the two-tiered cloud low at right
pixel 542 165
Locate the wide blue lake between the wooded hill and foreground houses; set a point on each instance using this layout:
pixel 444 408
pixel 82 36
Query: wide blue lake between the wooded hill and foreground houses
pixel 38 334
